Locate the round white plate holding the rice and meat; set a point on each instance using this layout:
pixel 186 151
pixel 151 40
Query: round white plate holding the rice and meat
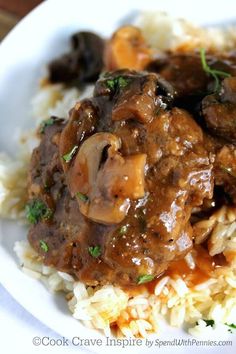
pixel 42 35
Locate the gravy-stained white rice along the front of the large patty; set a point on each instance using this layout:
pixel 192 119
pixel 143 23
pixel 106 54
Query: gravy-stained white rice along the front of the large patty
pixel 102 307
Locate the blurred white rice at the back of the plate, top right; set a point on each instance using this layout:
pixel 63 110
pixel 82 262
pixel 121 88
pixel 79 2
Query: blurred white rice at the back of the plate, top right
pixel 163 32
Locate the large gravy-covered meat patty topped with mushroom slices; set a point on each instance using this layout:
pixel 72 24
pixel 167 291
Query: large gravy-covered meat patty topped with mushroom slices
pixel 120 180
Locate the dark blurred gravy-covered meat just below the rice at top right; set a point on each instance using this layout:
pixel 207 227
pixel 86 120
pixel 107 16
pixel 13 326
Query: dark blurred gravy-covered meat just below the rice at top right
pixel 186 73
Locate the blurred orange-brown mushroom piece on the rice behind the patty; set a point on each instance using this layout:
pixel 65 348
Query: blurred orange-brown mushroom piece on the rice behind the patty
pixel 127 49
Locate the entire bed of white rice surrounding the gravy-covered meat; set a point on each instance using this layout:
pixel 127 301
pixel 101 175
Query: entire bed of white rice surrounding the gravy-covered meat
pixel 103 307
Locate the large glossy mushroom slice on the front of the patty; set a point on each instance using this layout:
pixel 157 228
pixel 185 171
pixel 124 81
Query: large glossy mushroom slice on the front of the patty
pixel 104 188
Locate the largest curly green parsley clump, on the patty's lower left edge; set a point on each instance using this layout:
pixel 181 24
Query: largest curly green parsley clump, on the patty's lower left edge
pixel 36 210
